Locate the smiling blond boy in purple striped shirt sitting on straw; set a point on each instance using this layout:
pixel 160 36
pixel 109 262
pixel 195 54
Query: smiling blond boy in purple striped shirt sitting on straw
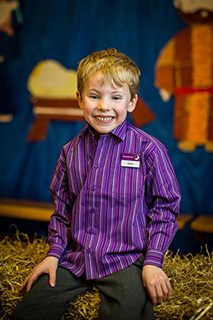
pixel 116 200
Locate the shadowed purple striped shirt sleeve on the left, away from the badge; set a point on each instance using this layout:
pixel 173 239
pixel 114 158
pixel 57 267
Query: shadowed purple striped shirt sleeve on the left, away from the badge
pixel 59 227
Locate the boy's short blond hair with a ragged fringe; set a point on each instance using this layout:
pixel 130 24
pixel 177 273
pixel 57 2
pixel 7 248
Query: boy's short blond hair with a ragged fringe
pixel 115 66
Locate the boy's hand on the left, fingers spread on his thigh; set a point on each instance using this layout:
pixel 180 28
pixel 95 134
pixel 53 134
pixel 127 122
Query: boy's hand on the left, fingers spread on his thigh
pixel 49 265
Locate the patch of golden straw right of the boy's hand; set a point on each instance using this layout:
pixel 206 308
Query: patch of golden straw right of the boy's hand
pixel 192 282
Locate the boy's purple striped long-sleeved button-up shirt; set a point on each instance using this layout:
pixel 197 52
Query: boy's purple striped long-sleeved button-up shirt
pixel 107 215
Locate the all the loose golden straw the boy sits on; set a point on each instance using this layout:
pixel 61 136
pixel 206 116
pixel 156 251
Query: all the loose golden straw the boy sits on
pixel 191 278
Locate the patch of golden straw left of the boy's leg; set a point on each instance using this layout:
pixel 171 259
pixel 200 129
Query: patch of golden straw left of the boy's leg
pixel 18 256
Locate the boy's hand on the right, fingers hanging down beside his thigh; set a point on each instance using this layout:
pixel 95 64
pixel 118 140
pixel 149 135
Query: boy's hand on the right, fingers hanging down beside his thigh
pixel 156 283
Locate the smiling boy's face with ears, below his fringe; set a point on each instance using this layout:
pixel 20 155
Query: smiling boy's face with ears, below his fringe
pixel 105 106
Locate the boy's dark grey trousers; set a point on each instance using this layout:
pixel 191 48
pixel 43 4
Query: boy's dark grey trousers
pixel 123 296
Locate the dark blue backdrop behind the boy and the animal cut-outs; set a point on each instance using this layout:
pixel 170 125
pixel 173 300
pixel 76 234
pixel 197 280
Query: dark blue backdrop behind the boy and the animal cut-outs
pixel 67 31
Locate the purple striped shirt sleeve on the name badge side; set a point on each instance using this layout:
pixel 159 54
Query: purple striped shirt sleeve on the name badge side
pixel 163 200
